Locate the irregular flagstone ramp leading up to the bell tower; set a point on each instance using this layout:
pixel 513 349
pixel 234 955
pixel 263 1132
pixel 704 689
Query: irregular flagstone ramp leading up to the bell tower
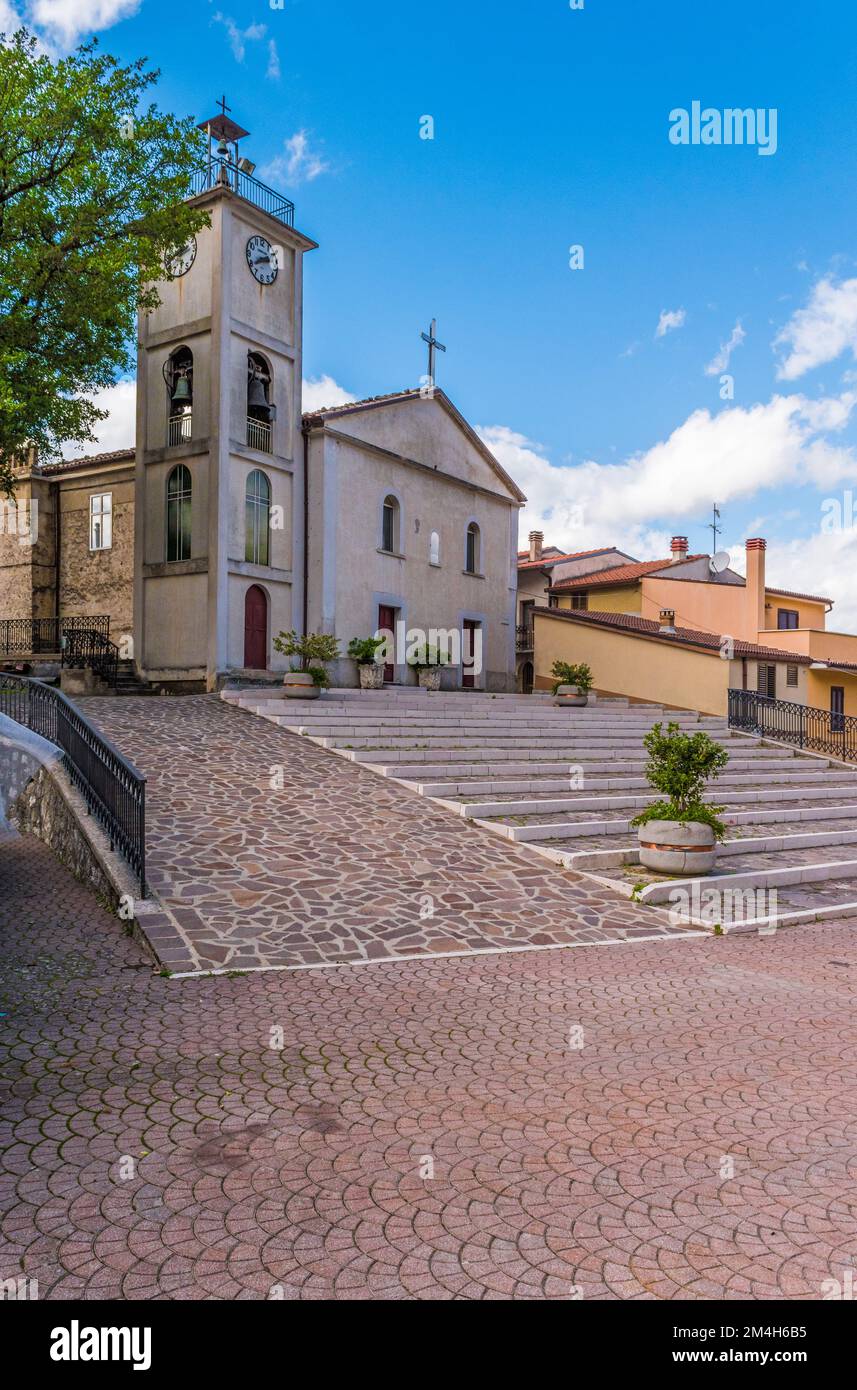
pixel 337 865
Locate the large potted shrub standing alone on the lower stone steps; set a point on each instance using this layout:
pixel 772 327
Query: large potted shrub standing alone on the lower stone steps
pixel 680 833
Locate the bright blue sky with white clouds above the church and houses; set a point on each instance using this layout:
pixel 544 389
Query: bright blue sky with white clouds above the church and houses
pixel 552 129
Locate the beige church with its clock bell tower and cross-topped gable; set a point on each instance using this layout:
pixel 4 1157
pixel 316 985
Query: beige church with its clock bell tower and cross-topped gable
pixel 235 518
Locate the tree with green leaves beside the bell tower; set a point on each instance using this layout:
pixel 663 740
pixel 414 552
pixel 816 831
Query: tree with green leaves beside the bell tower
pixel 94 180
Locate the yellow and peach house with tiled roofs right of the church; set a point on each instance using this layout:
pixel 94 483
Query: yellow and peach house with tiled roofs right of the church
pixel 695 628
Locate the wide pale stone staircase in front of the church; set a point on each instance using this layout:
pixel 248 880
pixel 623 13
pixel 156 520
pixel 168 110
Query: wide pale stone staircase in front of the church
pixel 566 785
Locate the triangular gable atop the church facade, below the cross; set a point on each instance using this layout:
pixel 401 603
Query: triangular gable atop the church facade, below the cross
pixel 426 430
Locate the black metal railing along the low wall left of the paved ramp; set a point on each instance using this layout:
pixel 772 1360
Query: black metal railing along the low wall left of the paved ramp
pixel 113 789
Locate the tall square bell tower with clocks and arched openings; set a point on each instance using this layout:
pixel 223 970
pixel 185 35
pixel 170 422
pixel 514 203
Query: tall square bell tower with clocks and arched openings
pixel 220 486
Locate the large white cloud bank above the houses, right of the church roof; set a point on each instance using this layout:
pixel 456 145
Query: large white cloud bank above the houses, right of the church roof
pixel 741 450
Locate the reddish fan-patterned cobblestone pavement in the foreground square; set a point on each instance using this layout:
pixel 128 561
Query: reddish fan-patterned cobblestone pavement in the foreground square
pixel 297 1172
